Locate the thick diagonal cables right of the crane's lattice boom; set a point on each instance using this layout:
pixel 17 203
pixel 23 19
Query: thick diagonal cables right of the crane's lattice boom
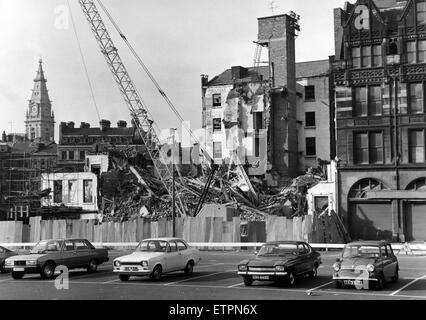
pixel 149 74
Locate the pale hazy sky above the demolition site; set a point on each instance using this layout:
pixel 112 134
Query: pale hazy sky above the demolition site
pixel 177 39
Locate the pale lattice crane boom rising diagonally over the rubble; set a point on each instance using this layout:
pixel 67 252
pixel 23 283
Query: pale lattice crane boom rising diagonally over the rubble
pixel 138 111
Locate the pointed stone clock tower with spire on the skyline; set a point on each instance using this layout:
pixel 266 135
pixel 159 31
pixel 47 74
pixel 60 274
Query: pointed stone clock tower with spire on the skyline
pixel 40 122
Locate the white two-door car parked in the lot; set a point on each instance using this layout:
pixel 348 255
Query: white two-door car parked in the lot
pixel 155 257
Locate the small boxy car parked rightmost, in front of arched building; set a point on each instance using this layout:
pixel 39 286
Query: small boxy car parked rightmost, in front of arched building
pixel 367 264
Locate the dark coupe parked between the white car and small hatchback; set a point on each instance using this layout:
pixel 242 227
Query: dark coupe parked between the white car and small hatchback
pixel 281 262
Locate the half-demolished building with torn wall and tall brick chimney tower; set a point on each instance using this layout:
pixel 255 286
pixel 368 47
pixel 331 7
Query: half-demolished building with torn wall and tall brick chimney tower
pixel 278 115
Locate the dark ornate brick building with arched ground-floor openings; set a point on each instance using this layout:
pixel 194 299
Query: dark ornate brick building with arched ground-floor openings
pixel 379 74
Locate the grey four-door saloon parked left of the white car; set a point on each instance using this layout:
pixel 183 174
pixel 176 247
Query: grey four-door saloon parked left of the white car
pixel 48 254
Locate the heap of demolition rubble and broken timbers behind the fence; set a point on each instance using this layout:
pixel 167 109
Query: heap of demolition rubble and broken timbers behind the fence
pixel 126 197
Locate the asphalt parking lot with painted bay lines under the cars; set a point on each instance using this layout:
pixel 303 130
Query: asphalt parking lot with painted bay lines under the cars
pixel 214 278
